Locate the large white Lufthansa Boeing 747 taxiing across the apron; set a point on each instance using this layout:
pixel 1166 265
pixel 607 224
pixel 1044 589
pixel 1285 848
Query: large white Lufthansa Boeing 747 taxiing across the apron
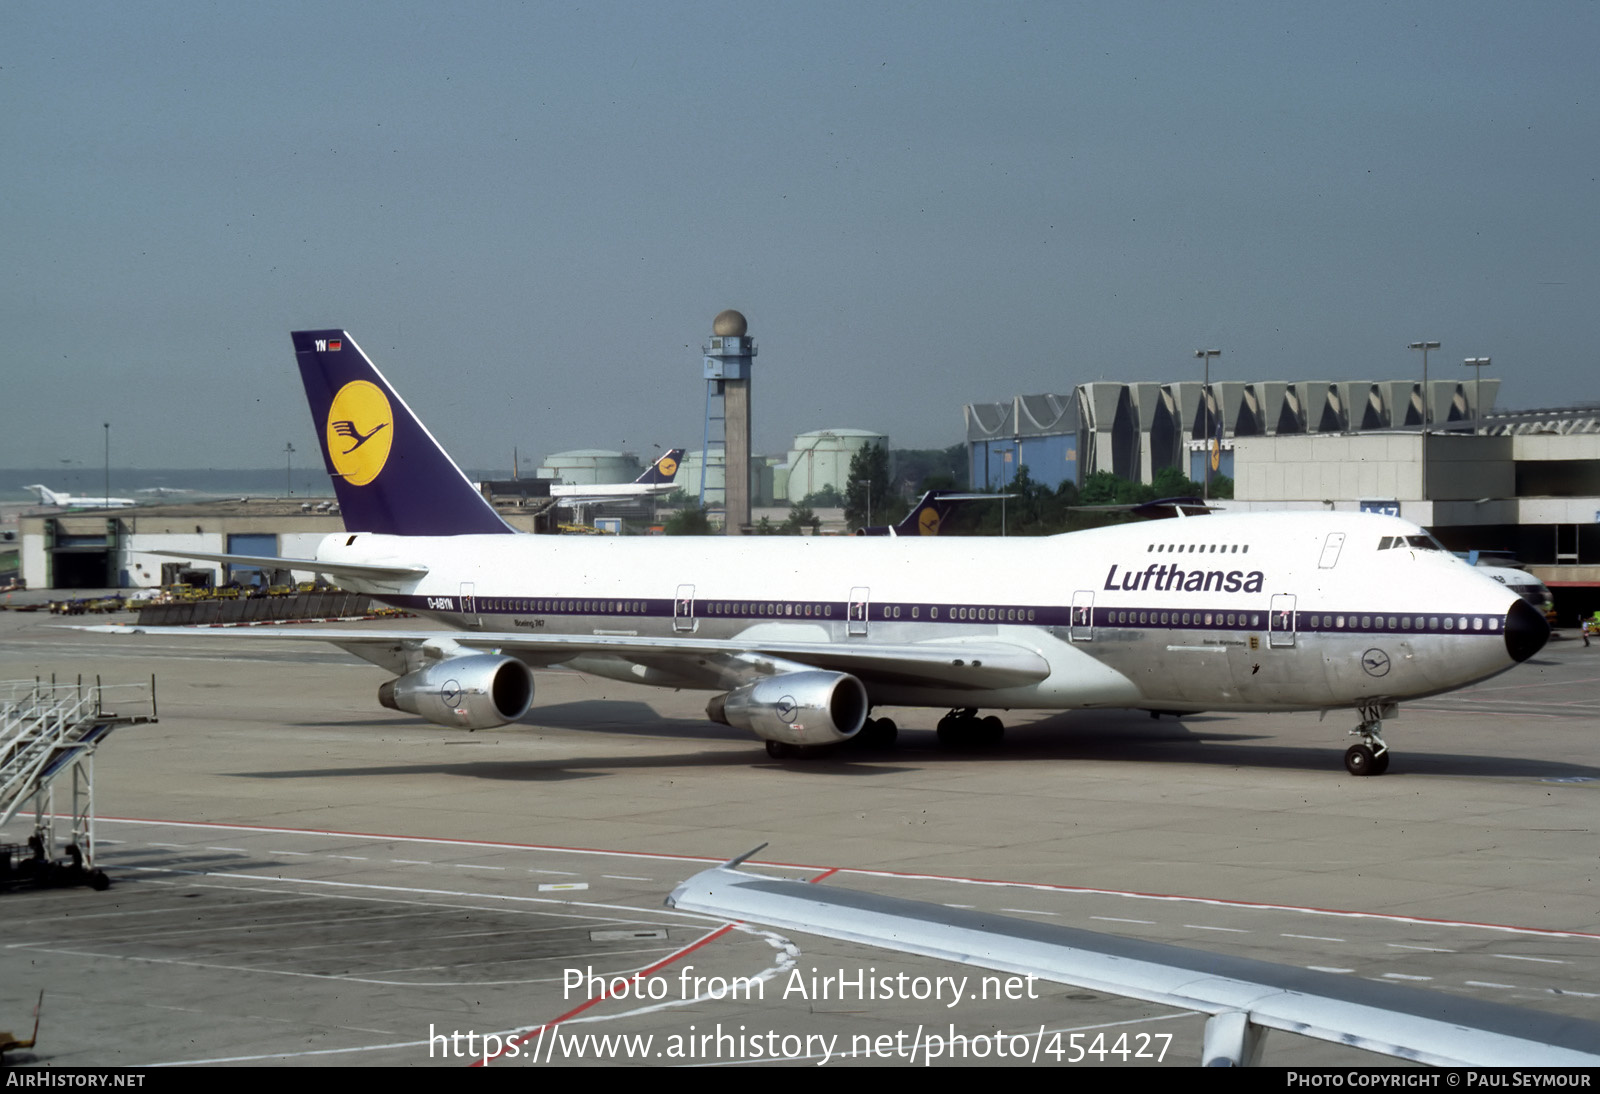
pixel 801 639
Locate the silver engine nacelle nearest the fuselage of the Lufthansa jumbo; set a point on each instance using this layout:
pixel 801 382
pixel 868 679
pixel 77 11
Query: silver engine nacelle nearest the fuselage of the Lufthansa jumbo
pixel 798 708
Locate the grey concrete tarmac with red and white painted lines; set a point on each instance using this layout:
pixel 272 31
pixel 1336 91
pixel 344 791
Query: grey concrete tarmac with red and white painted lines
pixel 305 879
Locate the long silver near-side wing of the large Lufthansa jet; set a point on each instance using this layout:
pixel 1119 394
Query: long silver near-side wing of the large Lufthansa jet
pixel 969 665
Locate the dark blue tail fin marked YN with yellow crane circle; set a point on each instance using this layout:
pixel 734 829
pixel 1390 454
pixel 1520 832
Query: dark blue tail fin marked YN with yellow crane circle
pixel 388 471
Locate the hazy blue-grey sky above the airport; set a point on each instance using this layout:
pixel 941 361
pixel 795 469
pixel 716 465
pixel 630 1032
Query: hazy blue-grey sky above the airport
pixel 529 214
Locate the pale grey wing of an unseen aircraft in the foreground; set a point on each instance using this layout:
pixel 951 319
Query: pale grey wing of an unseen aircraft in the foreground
pixel 1246 997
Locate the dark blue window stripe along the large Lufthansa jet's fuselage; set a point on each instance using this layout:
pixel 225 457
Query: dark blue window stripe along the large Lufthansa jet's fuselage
pixel 1148 618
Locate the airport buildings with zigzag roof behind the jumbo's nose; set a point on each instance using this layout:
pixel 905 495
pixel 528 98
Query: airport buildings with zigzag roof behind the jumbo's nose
pixel 1518 482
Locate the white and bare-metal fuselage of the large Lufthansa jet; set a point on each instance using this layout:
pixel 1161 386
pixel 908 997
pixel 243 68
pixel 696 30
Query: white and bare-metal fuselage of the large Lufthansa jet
pixel 1252 612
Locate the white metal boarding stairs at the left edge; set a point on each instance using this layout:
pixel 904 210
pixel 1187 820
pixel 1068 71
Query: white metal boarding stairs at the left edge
pixel 49 733
